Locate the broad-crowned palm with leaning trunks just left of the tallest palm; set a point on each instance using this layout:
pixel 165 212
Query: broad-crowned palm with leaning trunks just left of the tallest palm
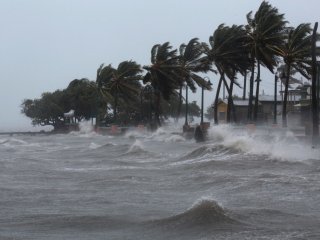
pixel 228 51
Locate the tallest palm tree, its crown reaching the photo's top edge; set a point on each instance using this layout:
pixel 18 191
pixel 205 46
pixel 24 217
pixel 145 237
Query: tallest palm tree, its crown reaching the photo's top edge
pixel 265 32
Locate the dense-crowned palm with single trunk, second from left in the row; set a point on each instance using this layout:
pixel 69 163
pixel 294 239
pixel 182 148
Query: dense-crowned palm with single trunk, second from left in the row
pixel 163 74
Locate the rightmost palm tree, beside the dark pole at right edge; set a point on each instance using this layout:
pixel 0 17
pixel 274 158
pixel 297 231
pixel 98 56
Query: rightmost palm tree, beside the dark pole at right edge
pixel 296 54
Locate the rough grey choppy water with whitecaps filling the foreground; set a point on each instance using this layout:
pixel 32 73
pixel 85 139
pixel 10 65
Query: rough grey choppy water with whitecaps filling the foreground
pixel 159 186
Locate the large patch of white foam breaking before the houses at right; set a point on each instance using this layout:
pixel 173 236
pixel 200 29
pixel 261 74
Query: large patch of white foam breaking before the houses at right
pixel 280 144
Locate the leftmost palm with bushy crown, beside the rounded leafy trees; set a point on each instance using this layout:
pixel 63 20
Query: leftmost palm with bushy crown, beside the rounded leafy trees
pixel 122 83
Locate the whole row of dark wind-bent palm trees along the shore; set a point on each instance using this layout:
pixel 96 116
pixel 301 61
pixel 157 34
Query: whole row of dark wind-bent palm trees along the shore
pixel 232 51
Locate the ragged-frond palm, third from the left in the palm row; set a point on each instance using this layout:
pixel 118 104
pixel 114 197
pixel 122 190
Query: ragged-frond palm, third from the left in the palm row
pixel 192 61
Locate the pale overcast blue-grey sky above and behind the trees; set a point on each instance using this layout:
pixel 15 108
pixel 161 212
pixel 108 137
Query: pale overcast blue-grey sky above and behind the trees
pixel 46 44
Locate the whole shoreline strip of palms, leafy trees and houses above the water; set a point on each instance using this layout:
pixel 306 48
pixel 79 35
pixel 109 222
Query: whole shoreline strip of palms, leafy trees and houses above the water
pixel 130 94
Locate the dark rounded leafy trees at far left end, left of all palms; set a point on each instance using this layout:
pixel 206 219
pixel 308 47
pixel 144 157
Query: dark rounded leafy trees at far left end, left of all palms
pixel 80 96
